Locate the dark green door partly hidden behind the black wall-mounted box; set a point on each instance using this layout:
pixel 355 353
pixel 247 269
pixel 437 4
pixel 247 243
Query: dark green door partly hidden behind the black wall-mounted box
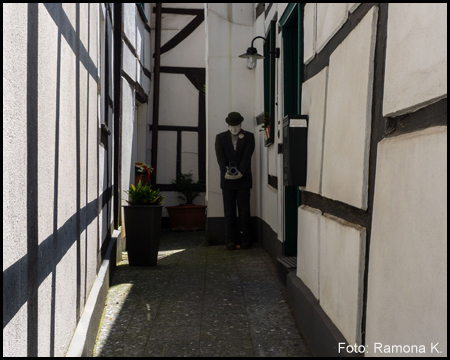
pixel 291 25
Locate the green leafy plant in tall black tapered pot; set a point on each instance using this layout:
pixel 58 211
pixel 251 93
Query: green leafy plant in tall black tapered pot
pixel 143 224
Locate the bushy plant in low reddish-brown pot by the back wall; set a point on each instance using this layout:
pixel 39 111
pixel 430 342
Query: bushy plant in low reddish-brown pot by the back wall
pixel 187 216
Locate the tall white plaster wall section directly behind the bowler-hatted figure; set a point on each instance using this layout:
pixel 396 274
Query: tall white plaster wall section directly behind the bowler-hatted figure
pixel 229 83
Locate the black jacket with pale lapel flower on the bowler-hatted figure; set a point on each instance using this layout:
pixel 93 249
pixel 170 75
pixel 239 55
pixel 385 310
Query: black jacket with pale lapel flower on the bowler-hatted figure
pixel 242 156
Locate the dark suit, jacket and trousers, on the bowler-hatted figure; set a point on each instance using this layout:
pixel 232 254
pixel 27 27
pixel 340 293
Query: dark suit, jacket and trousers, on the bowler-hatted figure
pixel 236 191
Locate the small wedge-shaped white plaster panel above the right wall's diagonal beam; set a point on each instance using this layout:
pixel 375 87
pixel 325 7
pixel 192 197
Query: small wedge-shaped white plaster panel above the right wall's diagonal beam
pixel 330 18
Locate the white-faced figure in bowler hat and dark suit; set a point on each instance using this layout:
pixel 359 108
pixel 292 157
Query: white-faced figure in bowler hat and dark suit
pixel 234 149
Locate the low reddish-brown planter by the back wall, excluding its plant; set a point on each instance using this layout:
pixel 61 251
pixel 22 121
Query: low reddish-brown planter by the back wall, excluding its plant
pixel 187 217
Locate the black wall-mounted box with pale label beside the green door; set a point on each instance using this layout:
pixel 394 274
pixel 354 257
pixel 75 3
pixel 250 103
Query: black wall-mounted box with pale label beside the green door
pixel 295 146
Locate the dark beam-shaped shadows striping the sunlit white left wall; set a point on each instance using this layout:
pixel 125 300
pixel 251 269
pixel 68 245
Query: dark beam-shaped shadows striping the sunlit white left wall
pixel 21 281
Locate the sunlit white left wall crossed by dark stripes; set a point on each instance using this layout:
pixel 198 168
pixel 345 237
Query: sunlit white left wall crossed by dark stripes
pixel 57 167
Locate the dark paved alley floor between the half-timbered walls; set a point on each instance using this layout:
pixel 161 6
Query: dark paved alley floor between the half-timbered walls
pixel 198 301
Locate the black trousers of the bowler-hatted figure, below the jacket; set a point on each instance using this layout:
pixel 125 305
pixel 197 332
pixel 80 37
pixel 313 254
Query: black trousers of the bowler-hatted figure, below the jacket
pixel 237 230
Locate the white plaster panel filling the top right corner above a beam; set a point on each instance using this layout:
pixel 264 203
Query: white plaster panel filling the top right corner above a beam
pixel 416 57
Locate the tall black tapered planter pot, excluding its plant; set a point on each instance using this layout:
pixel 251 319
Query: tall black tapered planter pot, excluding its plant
pixel 143 232
